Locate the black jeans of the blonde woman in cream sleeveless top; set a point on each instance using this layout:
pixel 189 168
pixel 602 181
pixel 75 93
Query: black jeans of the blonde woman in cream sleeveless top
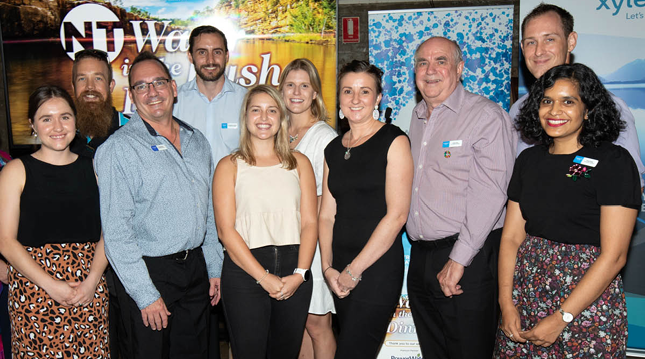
pixel 259 326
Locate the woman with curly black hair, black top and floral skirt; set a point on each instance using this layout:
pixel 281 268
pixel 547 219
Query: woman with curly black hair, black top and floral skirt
pixel 572 206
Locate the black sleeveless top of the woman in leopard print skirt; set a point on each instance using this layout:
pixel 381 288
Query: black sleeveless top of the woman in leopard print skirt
pixel 59 204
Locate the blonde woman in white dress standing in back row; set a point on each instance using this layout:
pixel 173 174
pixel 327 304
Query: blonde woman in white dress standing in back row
pixel 309 134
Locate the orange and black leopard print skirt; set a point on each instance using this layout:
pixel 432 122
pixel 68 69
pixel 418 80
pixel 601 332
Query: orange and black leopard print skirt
pixel 43 328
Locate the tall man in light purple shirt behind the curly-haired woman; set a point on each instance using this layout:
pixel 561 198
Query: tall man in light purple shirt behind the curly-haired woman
pixel 547 41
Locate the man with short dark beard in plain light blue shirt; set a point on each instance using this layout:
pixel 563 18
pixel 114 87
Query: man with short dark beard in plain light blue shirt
pixel 211 103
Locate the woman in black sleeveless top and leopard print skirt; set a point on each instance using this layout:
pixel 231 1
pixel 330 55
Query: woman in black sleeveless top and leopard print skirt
pixel 50 232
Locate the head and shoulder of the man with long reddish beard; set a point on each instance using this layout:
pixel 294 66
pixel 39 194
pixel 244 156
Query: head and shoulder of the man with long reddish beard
pixel 93 84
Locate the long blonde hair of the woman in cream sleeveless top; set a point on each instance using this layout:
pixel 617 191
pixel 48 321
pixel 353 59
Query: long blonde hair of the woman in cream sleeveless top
pixel 281 139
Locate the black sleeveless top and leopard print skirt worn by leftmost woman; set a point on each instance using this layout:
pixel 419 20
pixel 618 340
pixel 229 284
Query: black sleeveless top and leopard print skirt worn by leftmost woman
pixel 59 227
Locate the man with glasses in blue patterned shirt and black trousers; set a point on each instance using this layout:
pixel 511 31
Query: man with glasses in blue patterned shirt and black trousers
pixel 155 176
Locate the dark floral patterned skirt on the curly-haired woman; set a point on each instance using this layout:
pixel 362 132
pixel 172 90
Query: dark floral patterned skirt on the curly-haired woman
pixel 545 274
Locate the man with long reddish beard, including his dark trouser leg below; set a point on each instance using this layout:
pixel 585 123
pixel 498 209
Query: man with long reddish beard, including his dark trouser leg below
pixel 96 120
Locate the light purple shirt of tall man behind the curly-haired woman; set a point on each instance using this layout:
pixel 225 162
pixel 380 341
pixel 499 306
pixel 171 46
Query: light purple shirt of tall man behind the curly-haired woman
pixel 628 138
